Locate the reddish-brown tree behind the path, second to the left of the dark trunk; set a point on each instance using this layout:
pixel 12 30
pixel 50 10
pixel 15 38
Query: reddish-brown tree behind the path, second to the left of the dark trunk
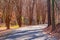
pixel 38 10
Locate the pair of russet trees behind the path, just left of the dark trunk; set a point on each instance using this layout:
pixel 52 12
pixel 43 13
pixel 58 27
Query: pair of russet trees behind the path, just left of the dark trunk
pixel 41 11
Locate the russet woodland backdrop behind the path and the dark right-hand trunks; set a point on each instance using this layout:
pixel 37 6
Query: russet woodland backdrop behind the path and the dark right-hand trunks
pixel 27 12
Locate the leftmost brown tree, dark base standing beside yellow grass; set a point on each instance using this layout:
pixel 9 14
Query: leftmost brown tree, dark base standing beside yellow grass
pixel 6 12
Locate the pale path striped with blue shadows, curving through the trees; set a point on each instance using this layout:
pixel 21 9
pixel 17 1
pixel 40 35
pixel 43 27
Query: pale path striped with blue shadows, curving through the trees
pixel 30 33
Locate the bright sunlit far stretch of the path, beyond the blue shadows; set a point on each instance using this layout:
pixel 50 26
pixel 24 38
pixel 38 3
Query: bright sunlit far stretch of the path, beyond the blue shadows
pixel 41 26
